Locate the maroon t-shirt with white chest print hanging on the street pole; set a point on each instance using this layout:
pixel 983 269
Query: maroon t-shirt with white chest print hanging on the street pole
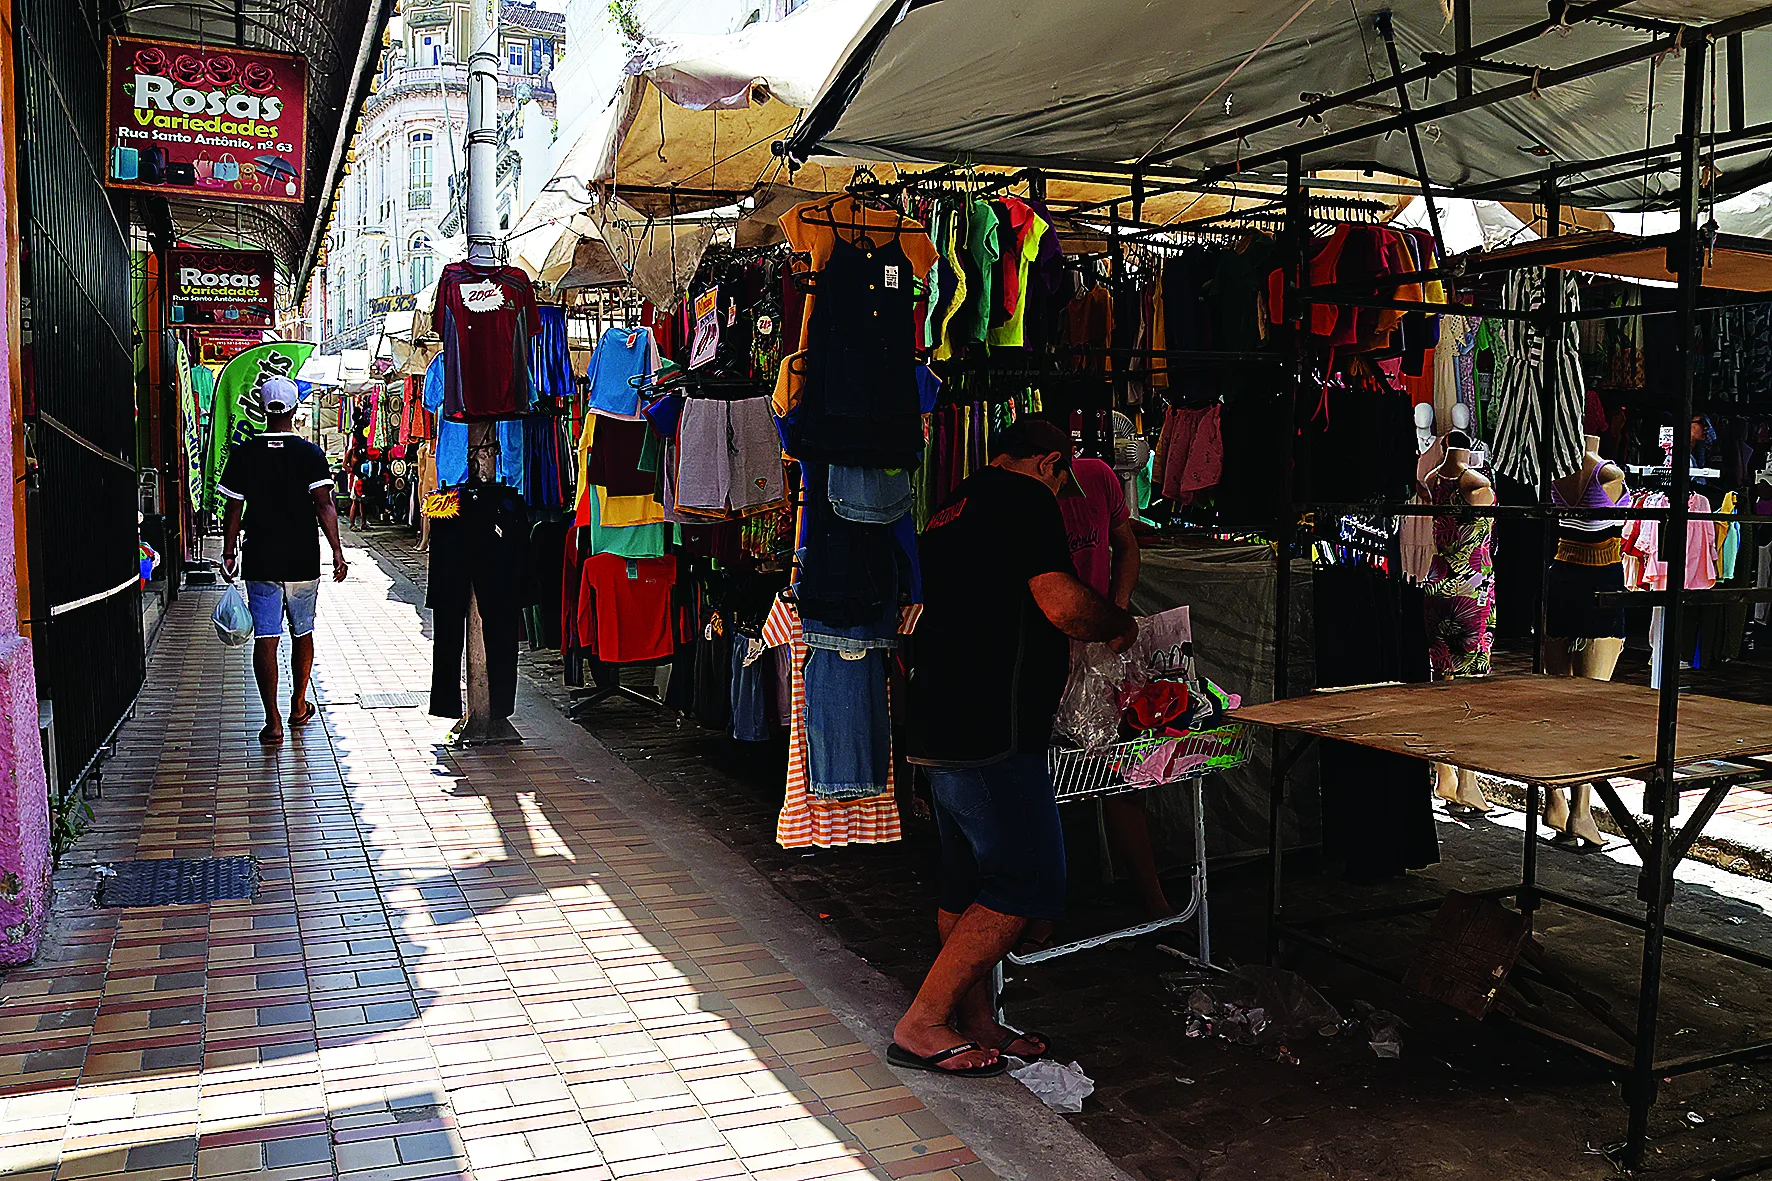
pixel 486 320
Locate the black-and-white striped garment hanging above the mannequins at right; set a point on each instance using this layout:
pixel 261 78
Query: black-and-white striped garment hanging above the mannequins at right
pixel 1519 400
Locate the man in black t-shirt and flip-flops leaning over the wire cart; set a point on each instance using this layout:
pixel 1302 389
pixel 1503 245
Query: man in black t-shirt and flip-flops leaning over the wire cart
pixel 990 662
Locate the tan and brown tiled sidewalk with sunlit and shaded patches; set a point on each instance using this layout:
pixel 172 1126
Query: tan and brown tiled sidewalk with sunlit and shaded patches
pixel 460 966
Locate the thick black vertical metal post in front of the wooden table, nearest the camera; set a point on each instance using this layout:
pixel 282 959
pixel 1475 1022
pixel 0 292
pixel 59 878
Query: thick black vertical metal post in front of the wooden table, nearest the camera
pixel 1661 795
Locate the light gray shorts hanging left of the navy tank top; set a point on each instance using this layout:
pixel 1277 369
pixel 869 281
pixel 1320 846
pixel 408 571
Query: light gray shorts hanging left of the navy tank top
pixel 729 455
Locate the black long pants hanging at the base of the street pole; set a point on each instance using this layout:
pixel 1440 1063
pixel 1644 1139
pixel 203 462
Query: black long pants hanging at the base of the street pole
pixel 483 552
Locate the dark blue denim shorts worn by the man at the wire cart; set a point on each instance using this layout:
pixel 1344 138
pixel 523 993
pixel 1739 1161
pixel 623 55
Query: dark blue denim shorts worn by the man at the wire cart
pixel 1002 843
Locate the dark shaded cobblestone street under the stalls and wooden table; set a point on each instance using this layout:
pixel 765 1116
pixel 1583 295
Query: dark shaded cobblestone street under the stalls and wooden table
pixel 1466 1102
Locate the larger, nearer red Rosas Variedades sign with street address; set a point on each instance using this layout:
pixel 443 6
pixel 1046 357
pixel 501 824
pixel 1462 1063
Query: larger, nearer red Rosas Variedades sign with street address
pixel 215 121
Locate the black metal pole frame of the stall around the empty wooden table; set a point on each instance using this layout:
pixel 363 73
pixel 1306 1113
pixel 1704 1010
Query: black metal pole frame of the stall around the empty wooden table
pixel 1661 847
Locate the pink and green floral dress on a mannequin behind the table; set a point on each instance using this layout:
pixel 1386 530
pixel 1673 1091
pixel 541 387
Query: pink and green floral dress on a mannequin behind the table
pixel 1461 588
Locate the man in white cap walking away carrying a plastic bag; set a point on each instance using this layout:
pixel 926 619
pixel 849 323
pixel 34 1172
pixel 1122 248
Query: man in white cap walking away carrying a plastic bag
pixel 279 489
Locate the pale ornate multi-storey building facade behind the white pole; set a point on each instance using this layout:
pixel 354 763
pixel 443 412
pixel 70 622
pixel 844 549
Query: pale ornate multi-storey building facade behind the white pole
pixel 400 215
